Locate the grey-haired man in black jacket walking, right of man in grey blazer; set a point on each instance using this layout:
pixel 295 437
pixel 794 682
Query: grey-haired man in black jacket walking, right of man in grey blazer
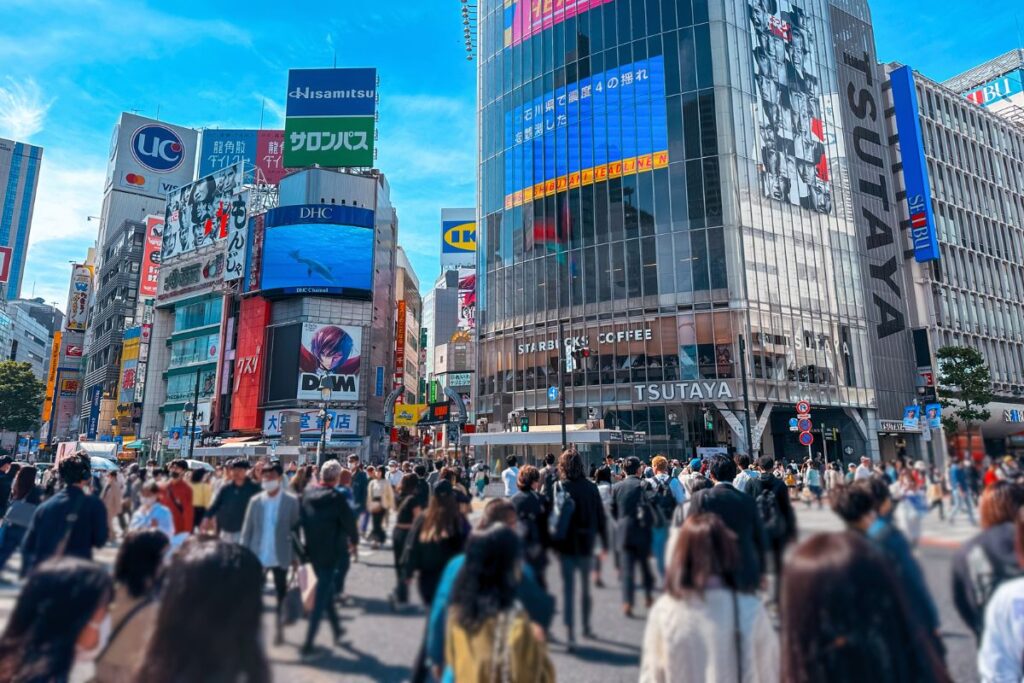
pixel 330 533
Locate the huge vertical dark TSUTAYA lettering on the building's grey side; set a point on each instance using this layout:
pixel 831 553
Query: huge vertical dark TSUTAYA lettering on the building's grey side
pixel 863 111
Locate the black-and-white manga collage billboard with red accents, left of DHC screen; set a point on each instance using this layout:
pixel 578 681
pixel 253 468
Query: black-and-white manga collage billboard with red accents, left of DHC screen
pixel 201 214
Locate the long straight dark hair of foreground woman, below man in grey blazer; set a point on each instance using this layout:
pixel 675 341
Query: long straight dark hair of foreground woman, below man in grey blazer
pixel 208 626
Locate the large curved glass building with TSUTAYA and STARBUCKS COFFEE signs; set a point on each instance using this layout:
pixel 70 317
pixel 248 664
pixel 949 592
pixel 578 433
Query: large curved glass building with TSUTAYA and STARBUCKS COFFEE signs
pixel 681 184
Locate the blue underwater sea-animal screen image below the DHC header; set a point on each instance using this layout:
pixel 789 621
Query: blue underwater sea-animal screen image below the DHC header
pixel 319 259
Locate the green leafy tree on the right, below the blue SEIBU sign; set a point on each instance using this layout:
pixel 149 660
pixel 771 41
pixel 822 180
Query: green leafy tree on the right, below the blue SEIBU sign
pixel 967 383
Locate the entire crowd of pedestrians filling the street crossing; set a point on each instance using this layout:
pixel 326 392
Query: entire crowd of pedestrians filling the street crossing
pixel 728 591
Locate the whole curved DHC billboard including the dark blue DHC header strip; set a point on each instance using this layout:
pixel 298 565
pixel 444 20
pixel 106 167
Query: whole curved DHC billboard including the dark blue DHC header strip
pixel 319 249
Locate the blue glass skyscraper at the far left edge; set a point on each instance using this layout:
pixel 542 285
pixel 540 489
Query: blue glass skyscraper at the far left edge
pixel 19 179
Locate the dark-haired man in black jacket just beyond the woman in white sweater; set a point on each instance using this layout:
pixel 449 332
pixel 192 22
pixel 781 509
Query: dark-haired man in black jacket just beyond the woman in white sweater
pixel 740 514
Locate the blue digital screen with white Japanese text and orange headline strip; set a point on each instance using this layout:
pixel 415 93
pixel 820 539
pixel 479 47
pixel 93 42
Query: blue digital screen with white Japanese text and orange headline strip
pixel 619 118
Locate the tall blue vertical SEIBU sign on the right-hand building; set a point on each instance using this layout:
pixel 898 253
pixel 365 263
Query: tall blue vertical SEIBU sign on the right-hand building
pixel 912 149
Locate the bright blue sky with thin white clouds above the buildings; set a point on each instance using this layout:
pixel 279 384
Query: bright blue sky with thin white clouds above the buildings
pixel 71 67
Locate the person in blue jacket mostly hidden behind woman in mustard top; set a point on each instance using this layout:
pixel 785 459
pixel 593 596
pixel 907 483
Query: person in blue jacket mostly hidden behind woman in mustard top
pixel 539 606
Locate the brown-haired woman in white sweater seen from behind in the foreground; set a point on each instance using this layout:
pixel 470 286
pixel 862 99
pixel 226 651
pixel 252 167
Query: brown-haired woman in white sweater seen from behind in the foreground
pixel 704 629
